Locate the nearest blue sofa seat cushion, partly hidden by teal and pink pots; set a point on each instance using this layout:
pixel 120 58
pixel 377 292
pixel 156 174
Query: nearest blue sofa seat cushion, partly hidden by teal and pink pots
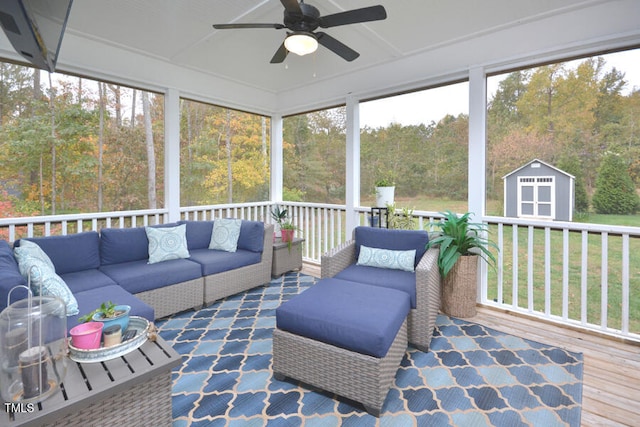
pixel 91 299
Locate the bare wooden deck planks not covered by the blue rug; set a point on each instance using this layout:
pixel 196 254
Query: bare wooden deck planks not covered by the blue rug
pixel 611 386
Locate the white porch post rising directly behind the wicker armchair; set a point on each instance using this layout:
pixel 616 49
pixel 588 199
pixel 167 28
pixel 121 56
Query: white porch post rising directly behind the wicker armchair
pixel 353 164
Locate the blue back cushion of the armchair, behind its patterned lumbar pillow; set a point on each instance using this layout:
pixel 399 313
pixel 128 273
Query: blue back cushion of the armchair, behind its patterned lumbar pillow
pixel 397 240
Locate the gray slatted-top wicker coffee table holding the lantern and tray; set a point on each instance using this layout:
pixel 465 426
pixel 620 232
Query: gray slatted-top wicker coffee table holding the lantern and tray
pixel 134 389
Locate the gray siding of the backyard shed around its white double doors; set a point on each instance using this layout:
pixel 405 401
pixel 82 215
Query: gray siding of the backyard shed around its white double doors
pixel 563 201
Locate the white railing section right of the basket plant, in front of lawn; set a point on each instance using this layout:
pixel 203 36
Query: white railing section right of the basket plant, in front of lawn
pixel 573 273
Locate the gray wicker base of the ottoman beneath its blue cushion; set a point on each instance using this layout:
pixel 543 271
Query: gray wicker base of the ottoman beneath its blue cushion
pixel 359 377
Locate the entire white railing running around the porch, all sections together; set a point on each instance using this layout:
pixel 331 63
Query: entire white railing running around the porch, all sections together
pixel 584 275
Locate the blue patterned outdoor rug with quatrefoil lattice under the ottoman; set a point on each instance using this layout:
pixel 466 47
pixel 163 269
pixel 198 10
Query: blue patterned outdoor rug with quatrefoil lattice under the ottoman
pixel 472 375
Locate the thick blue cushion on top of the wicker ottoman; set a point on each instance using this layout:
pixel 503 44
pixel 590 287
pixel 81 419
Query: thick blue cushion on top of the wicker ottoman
pixel 361 318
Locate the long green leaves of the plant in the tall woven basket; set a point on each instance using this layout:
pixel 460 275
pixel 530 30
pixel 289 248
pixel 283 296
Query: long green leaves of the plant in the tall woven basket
pixel 459 237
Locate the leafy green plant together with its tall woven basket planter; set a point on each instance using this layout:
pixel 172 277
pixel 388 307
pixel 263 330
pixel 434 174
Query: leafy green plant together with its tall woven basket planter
pixel 462 244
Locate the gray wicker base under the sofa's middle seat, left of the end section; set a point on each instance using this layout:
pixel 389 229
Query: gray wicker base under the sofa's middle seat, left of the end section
pixel 174 298
